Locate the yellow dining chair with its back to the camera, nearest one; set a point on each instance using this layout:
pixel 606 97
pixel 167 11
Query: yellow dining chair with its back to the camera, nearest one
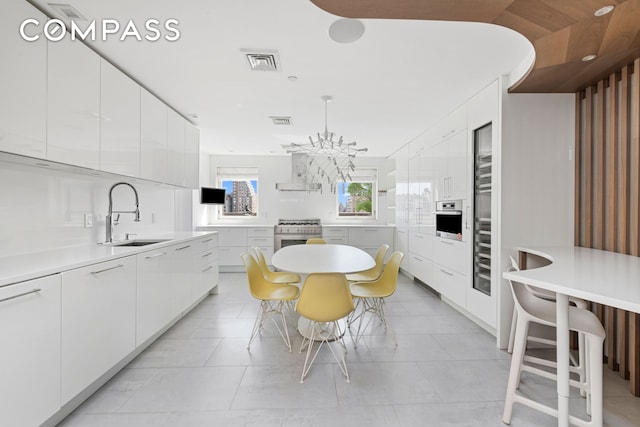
pixel 325 298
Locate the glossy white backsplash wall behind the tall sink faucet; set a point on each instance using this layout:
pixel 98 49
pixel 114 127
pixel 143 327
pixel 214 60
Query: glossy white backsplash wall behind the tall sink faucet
pixel 42 208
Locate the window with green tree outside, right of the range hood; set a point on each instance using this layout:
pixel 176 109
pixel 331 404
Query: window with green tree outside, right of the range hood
pixel 357 198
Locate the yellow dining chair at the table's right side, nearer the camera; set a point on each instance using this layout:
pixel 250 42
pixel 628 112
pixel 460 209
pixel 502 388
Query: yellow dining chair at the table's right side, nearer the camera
pixel 370 296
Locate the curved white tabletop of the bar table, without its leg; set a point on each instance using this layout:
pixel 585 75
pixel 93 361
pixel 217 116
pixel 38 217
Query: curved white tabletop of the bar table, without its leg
pixel 604 277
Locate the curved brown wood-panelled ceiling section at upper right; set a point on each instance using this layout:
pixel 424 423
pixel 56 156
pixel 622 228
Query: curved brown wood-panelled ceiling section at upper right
pixel 561 31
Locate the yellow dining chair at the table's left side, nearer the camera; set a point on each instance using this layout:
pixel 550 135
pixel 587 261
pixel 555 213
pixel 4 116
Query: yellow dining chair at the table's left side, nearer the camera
pixel 273 299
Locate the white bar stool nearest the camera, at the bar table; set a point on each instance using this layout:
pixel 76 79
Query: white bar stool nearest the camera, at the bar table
pixel 533 309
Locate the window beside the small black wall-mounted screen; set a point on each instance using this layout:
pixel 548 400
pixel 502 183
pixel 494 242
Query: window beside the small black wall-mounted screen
pixel 241 191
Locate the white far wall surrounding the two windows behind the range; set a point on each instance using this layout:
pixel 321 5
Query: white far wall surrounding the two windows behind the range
pixel 274 204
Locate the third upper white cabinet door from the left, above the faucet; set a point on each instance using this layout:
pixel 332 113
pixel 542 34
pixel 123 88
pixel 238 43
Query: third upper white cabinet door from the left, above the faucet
pixel 120 122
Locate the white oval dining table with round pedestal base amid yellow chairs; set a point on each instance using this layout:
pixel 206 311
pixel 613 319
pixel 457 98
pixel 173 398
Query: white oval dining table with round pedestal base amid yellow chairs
pixel 321 258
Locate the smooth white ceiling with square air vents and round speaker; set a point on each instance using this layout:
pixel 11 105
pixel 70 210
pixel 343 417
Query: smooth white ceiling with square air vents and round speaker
pixel 388 87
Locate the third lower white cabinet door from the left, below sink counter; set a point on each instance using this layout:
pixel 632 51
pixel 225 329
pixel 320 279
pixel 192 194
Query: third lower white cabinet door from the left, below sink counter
pixel 153 291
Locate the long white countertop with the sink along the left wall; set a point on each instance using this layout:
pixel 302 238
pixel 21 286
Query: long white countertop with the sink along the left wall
pixel 29 266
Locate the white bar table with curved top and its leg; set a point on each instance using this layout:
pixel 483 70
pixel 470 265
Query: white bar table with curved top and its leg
pixel 599 276
